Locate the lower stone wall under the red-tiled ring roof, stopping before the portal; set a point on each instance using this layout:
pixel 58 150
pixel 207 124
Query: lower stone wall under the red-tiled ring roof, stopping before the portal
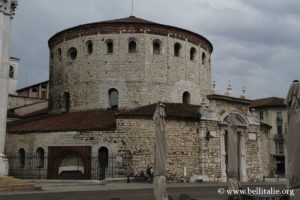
pixel 133 140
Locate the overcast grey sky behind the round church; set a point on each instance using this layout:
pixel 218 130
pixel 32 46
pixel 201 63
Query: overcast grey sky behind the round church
pixel 256 42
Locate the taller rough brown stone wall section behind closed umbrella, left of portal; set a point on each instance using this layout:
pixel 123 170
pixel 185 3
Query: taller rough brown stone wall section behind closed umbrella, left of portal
pixel 183 145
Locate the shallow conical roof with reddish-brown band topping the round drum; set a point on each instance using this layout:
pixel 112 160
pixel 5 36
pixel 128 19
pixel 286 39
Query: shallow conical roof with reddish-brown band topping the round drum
pixel 132 23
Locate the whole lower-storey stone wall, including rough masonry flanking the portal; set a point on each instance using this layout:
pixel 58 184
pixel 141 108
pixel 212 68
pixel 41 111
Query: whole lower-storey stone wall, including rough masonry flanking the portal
pixel 134 139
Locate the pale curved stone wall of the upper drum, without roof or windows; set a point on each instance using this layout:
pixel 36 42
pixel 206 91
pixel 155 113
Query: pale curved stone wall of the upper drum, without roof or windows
pixel 140 78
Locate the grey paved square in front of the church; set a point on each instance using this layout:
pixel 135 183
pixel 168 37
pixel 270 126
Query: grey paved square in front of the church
pixel 73 190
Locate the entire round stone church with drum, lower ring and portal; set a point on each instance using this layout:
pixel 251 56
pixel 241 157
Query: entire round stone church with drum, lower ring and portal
pixel 105 80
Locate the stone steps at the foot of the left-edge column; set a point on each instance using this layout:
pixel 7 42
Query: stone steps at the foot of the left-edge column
pixel 9 184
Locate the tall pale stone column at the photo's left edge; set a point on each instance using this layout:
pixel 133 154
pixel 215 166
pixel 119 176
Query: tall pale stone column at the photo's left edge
pixel 7 10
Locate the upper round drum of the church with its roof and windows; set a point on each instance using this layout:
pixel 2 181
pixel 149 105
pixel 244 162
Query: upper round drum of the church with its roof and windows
pixel 131 61
